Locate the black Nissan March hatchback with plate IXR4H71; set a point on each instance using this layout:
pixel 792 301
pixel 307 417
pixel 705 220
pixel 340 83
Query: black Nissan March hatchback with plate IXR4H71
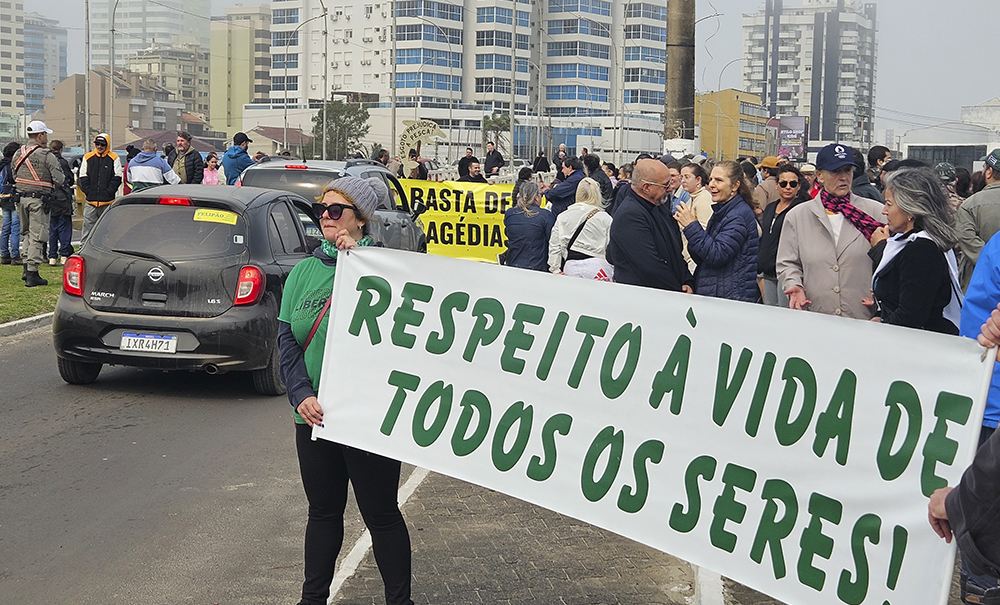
pixel 185 277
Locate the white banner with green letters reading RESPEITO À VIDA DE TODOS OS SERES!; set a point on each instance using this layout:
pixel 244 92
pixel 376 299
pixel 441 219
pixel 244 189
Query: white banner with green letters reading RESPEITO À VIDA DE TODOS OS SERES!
pixel 791 451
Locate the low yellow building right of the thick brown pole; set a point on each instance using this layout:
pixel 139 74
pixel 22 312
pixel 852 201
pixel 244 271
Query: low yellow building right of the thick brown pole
pixel 733 124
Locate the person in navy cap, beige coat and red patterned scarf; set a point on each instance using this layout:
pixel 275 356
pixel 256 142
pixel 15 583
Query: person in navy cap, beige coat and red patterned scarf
pixel 823 263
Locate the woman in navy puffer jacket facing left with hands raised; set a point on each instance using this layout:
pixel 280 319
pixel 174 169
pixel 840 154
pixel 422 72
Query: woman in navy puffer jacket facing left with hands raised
pixel 725 251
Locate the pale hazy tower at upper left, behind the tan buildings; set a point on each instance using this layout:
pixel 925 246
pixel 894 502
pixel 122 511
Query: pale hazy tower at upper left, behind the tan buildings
pixel 140 24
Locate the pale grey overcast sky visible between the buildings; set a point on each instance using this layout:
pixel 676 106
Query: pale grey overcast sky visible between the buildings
pixel 932 55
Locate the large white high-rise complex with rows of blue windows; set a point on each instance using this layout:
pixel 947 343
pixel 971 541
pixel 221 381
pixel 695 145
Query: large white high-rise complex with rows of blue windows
pixel 576 67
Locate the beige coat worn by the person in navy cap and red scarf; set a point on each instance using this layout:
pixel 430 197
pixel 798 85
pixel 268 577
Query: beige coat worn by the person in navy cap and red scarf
pixel 835 276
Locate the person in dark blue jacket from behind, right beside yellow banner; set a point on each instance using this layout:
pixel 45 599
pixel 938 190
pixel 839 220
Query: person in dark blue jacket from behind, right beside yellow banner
pixel 528 230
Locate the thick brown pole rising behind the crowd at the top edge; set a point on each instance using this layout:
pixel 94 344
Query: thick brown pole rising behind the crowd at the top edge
pixel 680 70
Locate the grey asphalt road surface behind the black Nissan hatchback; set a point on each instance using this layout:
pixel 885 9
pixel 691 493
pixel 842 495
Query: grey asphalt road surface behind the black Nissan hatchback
pixel 145 487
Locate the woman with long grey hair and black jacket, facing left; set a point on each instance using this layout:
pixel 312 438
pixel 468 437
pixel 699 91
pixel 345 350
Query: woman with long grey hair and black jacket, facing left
pixel 916 276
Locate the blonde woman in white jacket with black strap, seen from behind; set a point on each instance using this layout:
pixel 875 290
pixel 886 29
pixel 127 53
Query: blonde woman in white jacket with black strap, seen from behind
pixel 581 234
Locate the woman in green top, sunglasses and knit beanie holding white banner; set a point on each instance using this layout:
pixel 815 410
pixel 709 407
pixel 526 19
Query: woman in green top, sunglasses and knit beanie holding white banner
pixel 344 212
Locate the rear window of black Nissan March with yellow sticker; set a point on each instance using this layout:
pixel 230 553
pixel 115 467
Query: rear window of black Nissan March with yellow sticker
pixel 172 232
